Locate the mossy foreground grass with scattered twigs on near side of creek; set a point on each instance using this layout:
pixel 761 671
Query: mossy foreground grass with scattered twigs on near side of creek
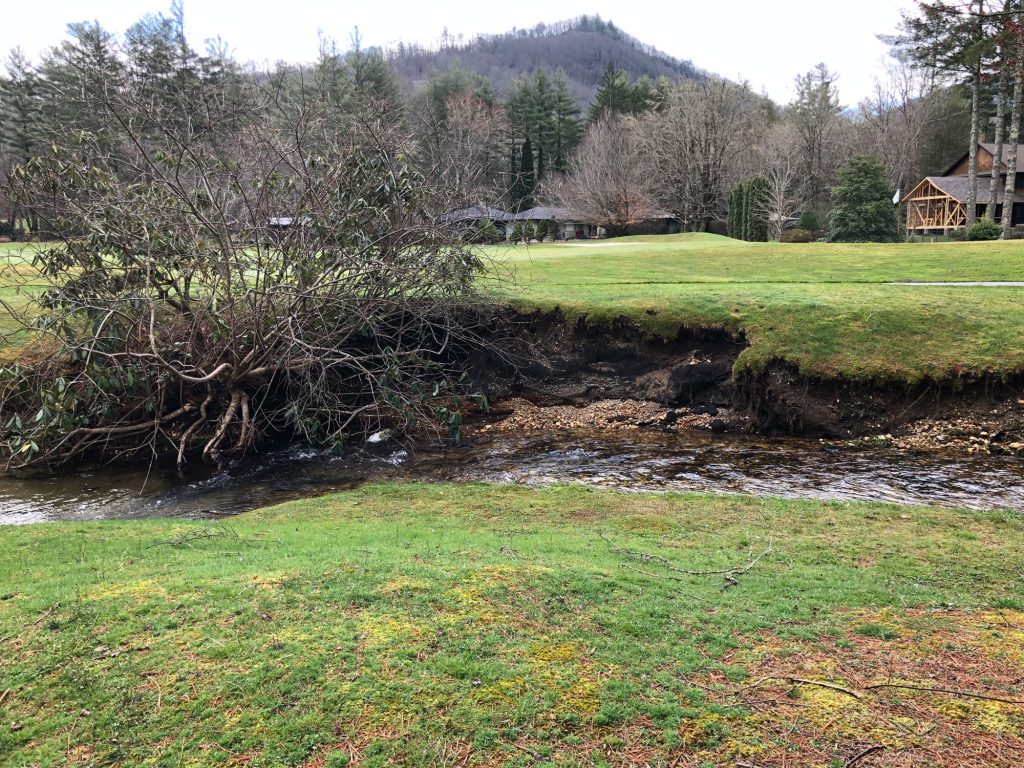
pixel 500 626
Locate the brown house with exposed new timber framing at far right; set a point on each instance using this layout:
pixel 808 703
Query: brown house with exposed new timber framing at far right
pixel 938 204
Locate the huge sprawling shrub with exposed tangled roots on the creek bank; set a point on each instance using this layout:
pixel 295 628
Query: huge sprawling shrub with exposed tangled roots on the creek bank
pixel 276 275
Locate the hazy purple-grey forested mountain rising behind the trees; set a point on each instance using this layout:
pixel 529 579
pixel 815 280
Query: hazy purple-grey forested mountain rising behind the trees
pixel 583 48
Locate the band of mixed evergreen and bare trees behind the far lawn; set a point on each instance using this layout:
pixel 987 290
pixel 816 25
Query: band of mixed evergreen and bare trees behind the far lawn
pixel 690 141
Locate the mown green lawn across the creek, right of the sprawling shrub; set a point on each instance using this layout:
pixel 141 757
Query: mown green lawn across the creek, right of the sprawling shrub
pixel 823 307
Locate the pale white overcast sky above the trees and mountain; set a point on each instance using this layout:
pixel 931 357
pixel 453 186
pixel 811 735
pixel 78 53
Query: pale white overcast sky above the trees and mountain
pixel 765 44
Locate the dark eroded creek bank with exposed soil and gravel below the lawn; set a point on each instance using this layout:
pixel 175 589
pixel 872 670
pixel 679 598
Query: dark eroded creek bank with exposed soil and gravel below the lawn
pixel 573 374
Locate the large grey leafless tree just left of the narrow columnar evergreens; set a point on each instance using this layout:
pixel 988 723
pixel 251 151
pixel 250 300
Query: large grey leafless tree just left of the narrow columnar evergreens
pixel 695 143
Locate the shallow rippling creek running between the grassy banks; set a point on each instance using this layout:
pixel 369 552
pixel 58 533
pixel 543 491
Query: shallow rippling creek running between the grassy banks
pixel 630 460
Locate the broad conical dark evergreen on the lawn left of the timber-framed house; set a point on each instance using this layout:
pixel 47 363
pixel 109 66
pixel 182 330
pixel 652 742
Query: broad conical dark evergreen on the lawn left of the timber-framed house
pixel 863 208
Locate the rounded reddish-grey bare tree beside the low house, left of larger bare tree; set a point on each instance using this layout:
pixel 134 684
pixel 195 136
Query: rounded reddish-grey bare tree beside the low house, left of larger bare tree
pixel 609 183
